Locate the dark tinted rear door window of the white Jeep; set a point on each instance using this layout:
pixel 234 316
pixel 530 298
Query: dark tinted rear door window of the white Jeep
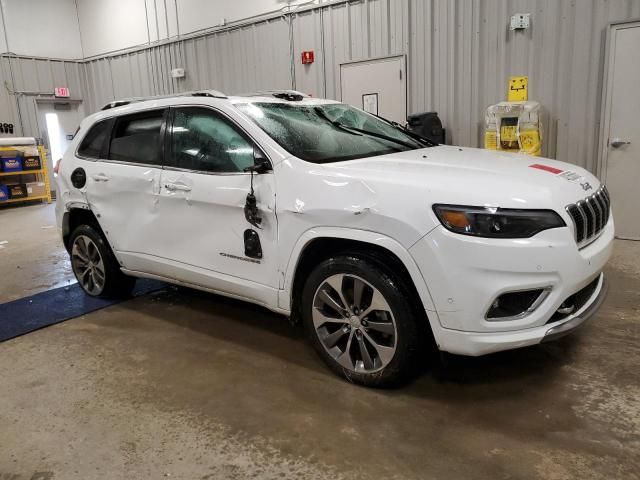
pixel 136 138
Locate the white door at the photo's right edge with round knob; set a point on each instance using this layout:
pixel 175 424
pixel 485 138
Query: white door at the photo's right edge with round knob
pixel 622 141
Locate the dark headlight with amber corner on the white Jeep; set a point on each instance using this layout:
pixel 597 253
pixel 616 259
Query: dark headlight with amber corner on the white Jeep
pixel 496 222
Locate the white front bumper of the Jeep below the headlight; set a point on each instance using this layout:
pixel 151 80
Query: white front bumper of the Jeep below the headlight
pixel 466 274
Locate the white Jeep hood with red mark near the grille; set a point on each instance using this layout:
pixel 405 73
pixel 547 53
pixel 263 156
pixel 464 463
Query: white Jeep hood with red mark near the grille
pixel 471 176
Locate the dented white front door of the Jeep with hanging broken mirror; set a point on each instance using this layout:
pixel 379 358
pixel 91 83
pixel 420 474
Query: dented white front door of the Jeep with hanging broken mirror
pixel 203 194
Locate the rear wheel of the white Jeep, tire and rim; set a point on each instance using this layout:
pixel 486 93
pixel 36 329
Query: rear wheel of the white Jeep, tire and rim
pixel 95 266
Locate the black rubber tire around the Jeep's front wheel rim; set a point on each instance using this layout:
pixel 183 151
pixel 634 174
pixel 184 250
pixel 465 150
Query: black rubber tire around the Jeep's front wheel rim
pixel 403 363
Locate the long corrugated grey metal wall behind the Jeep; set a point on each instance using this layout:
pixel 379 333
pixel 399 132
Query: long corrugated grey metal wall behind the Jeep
pixel 460 54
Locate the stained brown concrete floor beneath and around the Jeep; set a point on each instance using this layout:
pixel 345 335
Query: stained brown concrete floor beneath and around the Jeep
pixel 188 385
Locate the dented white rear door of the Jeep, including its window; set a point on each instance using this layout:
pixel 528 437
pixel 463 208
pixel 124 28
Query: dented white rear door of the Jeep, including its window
pixel 123 186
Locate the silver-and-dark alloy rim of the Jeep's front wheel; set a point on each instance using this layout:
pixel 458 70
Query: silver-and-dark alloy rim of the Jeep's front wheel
pixel 354 323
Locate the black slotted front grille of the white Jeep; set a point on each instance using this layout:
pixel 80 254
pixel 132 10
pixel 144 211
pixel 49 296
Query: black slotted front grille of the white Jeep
pixel 590 216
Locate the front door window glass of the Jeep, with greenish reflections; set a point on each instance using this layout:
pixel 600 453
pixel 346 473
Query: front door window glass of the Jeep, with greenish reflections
pixel 206 141
